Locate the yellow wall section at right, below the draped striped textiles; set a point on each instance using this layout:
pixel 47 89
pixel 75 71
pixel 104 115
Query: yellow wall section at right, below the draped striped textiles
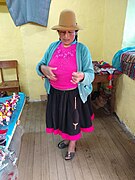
pixel 125 102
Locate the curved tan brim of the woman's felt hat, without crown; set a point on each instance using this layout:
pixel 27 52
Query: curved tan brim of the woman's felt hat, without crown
pixel 63 28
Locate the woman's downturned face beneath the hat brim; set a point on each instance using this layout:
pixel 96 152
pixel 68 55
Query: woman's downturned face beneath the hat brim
pixel 67 37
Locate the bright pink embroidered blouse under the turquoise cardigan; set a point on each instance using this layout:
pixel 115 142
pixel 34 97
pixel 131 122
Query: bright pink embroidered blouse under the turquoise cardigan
pixel 64 58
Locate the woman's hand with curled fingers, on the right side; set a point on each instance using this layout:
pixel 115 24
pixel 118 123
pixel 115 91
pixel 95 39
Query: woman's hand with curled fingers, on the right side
pixel 77 77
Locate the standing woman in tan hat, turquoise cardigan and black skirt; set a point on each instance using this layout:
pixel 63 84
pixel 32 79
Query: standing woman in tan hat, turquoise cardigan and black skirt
pixel 68 72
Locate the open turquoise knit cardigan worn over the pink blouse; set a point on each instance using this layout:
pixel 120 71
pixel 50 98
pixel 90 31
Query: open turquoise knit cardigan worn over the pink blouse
pixel 84 64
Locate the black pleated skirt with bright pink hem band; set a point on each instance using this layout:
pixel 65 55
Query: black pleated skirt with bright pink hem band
pixel 67 115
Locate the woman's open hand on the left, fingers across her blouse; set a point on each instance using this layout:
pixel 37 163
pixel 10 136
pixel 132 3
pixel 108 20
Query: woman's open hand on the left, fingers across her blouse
pixel 48 72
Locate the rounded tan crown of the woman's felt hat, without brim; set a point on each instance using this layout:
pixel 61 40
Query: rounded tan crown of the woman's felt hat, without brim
pixel 67 19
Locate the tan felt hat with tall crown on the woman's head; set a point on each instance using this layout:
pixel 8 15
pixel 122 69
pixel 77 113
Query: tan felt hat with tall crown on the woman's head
pixel 67 21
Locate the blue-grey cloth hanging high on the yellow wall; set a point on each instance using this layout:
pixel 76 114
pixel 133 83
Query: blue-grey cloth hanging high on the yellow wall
pixel 25 11
